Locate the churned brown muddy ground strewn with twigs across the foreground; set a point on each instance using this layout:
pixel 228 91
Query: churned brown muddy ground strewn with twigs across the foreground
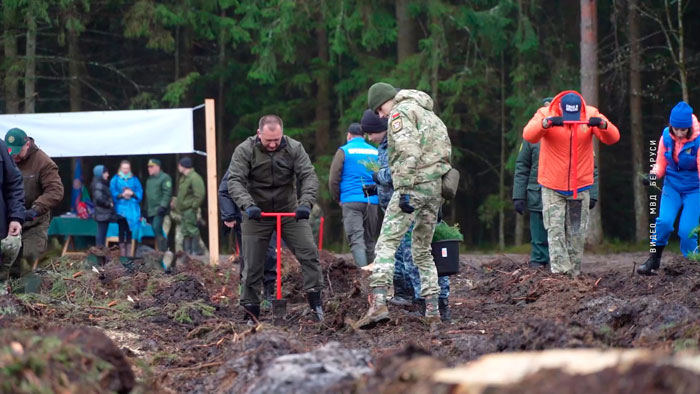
pixel 183 332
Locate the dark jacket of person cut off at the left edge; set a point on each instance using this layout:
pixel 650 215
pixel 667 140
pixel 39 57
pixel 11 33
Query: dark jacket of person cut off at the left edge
pixel 12 201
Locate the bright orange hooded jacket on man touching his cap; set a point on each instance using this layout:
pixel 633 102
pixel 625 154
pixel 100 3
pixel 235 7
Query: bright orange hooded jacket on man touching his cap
pixel 559 168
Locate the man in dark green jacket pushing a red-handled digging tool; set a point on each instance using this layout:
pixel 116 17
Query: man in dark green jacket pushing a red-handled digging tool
pixel 262 177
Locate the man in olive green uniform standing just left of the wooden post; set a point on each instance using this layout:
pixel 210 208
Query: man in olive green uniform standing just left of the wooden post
pixel 190 195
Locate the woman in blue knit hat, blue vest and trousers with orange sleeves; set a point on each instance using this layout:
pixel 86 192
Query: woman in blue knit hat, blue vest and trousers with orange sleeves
pixel 678 161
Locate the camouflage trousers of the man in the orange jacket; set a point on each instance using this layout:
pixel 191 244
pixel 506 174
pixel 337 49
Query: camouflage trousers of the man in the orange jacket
pixel 566 222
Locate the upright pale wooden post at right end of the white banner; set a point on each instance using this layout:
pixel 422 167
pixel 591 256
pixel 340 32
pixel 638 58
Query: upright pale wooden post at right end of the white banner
pixel 212 183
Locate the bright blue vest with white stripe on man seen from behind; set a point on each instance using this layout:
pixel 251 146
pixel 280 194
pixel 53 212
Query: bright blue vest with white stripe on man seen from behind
pixel 346 184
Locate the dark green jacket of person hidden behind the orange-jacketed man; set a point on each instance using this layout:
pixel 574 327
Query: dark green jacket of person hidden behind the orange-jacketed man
pixel 525 186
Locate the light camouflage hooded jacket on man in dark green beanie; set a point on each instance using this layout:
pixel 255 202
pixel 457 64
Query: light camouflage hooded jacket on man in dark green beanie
pixel 419 146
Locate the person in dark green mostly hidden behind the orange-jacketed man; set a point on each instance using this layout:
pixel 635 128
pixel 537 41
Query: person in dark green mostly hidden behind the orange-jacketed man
pixel 527 192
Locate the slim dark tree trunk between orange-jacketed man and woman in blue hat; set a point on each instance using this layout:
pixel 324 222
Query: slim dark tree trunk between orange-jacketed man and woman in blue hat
pixel 641 218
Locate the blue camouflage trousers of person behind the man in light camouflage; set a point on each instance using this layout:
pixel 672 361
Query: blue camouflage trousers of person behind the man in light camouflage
pixel 406 275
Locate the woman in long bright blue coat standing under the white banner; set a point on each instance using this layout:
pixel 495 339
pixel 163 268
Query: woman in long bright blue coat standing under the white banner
pixel 127 193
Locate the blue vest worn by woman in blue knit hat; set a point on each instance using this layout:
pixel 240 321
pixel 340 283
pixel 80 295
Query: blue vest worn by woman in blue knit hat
pixel 682 176
